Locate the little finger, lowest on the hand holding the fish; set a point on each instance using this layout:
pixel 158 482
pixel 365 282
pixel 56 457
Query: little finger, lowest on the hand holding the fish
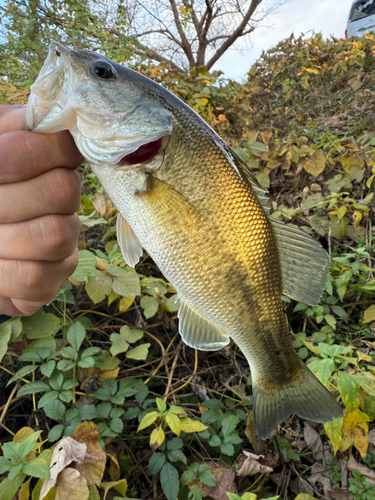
pixel 34 281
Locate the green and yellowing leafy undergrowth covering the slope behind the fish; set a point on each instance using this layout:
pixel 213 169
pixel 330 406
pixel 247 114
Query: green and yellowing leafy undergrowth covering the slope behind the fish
pixel 103 365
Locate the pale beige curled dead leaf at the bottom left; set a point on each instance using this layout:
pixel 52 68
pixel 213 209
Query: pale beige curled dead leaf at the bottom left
pixel 66 451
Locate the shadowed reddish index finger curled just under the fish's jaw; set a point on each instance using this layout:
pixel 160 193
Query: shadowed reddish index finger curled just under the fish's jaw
pixel 24 155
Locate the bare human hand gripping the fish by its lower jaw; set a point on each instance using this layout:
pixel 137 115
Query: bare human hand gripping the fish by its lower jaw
pixel 39 227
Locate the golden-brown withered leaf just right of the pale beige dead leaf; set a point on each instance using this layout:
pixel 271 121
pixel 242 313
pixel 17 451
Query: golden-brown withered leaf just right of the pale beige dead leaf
pixel 93 465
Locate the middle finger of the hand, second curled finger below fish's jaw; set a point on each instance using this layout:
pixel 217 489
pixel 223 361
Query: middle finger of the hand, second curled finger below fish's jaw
pixel 54 192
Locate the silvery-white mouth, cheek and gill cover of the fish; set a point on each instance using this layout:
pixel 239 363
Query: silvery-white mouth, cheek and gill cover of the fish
pixel 58 101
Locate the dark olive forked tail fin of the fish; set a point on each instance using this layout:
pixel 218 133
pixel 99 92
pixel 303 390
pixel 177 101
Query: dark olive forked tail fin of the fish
pixel 304 395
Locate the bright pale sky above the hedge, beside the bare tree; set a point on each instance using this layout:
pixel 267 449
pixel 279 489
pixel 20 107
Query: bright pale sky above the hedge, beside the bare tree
pixel 328 17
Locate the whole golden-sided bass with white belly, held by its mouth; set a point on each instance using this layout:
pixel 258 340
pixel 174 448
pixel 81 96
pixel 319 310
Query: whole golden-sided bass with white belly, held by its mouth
pixel 184 196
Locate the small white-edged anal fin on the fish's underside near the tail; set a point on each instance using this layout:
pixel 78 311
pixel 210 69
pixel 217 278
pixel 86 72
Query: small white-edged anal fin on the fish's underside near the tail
pixel 197 332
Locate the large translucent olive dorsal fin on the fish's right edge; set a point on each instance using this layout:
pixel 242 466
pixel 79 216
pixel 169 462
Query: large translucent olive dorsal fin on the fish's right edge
pixel 304 263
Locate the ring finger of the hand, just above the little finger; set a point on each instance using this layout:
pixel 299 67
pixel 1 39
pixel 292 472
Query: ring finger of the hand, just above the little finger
pixel 50 238
